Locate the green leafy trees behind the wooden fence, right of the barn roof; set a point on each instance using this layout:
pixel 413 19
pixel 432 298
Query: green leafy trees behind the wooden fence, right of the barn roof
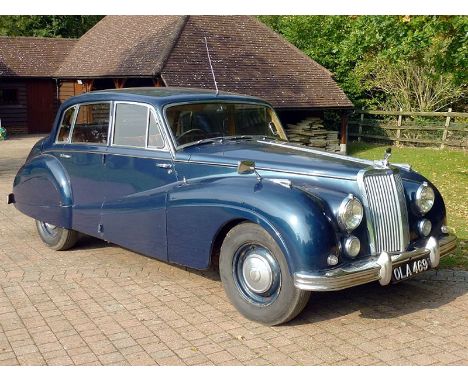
pixel 368 54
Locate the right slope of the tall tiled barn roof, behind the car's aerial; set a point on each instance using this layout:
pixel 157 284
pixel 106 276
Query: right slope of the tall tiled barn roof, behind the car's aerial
pixel 249 58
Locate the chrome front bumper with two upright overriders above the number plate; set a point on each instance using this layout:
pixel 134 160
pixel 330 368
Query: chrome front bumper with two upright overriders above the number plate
pixel 377 268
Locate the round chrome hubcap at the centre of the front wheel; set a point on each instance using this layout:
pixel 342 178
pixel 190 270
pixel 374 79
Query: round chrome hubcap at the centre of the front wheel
pixel 257 273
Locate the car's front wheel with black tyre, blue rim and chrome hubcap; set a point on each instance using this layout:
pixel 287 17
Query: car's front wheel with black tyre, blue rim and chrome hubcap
pixel 256 277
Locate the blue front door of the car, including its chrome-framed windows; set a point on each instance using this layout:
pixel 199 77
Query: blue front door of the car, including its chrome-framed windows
pixel 139 169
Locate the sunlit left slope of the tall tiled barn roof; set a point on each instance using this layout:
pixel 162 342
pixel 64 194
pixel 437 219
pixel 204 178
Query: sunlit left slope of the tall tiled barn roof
pixel 123 46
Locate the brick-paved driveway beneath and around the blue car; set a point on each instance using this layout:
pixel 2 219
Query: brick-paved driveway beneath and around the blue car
pixel 101 304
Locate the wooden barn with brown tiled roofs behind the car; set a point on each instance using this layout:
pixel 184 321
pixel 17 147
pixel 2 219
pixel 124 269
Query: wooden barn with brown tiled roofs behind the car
pixel 129 51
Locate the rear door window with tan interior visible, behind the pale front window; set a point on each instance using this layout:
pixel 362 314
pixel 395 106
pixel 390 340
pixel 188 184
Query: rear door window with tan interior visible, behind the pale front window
pixel 92 124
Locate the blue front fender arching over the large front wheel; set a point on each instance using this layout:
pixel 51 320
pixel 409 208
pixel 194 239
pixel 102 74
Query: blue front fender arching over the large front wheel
pixel 198 210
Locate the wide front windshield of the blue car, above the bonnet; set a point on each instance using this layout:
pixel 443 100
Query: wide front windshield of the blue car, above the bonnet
pixel 201 121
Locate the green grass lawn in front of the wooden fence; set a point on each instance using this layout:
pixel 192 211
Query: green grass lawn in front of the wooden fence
pixel 448 170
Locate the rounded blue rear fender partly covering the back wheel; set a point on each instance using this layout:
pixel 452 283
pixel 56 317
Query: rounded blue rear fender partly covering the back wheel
pixel 42 191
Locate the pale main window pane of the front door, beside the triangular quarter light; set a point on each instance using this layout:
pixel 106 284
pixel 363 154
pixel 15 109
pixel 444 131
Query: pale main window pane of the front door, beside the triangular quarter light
pixel 131 122
